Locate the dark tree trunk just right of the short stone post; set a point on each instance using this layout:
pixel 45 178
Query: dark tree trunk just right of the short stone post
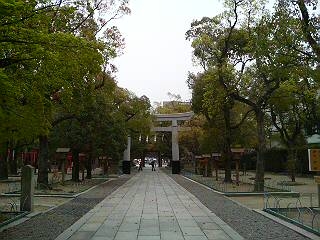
pixel 43 161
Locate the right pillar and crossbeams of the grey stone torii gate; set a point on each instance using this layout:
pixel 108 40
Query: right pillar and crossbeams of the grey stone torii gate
pixel 174 129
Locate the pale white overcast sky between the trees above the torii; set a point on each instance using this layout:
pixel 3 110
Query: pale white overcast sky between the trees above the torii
pixel 157 57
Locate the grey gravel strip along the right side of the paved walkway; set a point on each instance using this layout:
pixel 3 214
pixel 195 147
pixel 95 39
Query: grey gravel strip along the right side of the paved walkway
pixel 246 222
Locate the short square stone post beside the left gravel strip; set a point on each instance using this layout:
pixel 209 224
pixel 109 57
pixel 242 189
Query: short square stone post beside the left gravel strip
pixel 27 188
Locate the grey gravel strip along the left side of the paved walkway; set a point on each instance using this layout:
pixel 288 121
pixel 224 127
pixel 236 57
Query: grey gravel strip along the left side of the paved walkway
pixel 50 224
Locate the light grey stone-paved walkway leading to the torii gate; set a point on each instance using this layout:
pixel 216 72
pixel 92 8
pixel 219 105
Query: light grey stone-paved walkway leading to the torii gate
pixel 150 206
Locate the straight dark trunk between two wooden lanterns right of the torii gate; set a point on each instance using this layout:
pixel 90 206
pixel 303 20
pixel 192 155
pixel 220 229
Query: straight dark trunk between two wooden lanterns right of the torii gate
pixel 227 145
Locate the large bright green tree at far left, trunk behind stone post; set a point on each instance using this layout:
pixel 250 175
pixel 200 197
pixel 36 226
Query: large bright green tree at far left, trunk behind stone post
pixel 47 48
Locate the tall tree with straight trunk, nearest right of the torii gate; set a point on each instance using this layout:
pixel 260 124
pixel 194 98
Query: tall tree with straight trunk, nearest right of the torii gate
pixel 221 47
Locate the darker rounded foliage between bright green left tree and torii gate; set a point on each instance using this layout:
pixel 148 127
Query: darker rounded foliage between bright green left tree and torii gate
pixel 103 121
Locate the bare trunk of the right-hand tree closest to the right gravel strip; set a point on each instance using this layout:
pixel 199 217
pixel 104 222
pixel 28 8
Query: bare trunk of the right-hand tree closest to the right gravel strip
pixel 259 180
